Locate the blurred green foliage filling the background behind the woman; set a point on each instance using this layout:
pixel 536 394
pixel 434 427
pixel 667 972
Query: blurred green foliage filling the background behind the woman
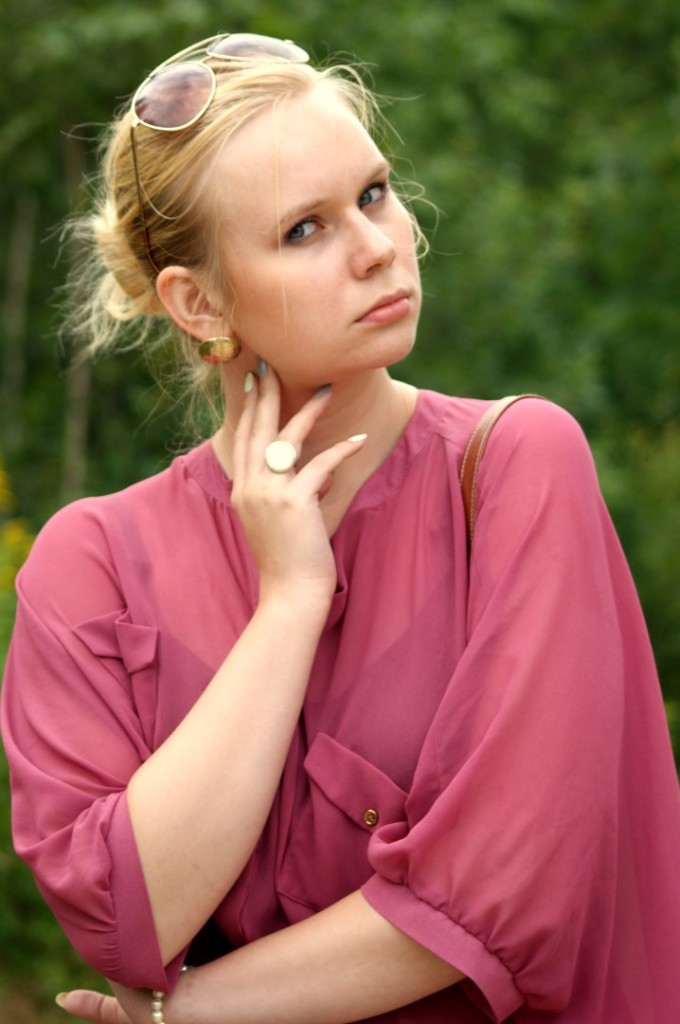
pixel 546 134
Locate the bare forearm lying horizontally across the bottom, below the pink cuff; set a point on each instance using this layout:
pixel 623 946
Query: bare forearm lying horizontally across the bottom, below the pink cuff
pixel 345 964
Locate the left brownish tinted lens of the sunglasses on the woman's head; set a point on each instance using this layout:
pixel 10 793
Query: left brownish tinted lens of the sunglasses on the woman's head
pixel 175 98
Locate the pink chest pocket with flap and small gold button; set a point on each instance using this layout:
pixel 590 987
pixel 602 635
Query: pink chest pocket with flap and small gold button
pixel 346 799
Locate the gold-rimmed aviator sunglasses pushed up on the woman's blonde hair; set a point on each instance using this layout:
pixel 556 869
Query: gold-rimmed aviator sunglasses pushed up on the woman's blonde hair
pixel 179 93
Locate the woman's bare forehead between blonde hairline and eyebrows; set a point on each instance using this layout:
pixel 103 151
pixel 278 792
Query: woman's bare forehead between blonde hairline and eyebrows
pixel 292 152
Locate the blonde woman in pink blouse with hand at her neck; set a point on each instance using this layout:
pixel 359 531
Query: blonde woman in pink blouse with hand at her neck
pixel 268 690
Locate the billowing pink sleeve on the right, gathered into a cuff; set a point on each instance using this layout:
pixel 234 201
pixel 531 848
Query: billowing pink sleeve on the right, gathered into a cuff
pixel 517 856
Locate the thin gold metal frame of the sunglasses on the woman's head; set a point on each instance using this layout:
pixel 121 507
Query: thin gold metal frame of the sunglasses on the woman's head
pixel 177 62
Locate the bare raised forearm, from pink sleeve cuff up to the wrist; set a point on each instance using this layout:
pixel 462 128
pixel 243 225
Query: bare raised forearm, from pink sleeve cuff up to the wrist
pixel 199 804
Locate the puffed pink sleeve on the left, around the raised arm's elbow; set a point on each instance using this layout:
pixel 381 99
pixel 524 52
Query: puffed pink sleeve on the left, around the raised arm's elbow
pixel 74 738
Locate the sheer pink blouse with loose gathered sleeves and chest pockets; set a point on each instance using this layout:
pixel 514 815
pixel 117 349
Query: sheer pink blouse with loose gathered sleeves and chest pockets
pixel 484 753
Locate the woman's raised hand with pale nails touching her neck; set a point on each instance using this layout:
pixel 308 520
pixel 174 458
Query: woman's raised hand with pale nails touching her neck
pixel 281 513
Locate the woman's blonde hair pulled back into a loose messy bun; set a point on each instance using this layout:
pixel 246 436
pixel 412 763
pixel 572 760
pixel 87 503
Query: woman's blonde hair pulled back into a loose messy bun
pixel 112 292
